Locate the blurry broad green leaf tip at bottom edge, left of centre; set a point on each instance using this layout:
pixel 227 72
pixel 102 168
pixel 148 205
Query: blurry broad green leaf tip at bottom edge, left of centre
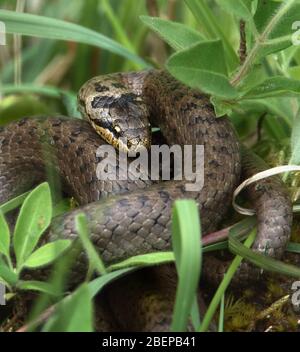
pixel 73 314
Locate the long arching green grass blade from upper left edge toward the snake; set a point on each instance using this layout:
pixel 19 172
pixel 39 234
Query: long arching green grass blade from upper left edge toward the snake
pixel 46 27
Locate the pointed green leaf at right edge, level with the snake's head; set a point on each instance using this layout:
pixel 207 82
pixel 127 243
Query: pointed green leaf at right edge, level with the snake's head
pixel 274 86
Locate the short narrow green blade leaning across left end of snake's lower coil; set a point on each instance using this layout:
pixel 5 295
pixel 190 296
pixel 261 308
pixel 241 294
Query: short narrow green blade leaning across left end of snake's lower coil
pixel 95 261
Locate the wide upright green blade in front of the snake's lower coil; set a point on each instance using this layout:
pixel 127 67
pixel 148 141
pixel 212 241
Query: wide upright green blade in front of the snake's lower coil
pixel 186 238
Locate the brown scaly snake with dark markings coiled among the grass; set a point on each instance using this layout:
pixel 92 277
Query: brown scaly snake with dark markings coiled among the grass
pixel 133 217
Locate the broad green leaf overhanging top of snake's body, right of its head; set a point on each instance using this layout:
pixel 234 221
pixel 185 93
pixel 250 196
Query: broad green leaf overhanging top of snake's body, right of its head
pixel 203 66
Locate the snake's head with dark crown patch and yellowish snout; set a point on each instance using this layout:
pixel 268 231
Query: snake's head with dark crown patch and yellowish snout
pixel 118 115
